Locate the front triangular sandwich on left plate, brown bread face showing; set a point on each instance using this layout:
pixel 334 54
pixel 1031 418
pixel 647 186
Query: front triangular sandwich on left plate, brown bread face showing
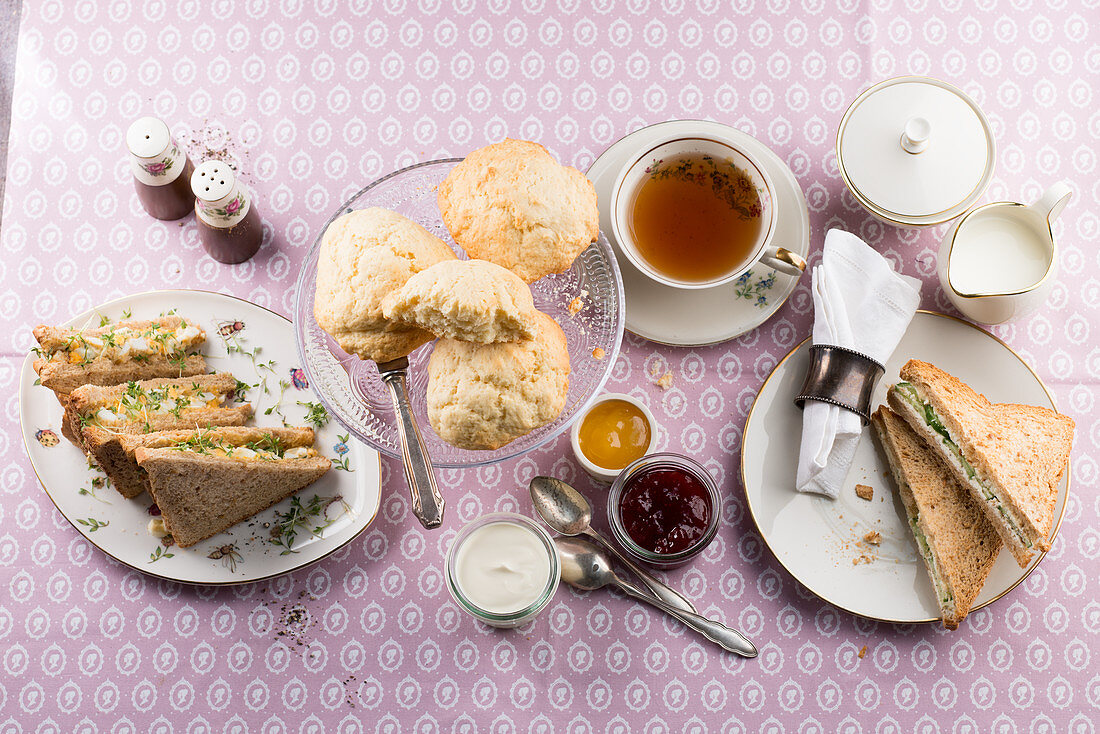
pixel 206 481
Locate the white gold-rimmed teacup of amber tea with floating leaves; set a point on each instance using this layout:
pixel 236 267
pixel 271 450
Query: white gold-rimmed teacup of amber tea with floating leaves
pixel 698 213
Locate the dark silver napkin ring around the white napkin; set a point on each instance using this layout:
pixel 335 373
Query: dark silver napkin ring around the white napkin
pixel 841 377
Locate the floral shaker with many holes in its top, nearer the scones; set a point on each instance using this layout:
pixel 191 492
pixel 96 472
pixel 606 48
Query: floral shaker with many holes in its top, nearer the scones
pixel 229 226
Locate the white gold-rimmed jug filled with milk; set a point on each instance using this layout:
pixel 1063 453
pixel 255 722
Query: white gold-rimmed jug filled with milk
pixel 1000 261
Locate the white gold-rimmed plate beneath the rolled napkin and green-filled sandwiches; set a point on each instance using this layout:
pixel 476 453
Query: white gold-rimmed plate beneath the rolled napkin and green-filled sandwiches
pixel 819 541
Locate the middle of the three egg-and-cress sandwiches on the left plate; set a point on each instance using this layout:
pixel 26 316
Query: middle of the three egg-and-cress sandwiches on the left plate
pixel 96 418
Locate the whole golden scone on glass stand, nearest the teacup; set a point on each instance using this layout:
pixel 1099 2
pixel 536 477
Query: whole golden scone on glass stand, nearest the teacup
pixel 514 205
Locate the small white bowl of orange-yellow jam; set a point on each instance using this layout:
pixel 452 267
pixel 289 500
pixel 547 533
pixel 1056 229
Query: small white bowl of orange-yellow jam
pixel 615 432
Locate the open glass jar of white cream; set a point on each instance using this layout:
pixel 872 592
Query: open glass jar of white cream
pixel 503 569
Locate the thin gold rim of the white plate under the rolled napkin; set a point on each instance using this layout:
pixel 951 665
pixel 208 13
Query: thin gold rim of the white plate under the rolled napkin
pixel 764 538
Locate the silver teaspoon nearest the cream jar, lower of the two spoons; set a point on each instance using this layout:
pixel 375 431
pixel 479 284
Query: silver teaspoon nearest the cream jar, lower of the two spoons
pixel 587 567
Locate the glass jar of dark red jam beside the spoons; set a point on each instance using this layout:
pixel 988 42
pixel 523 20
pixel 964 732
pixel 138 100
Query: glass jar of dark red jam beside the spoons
pixel 665 509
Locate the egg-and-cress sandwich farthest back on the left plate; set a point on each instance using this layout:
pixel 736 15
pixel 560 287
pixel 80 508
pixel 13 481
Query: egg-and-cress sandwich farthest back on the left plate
pixel 116 354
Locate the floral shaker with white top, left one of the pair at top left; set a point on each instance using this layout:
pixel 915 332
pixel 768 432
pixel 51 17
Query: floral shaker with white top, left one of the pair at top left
pixel 162 171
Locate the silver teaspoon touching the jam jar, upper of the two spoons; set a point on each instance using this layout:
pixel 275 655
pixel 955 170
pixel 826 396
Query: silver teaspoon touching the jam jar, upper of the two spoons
pixel 569 512
